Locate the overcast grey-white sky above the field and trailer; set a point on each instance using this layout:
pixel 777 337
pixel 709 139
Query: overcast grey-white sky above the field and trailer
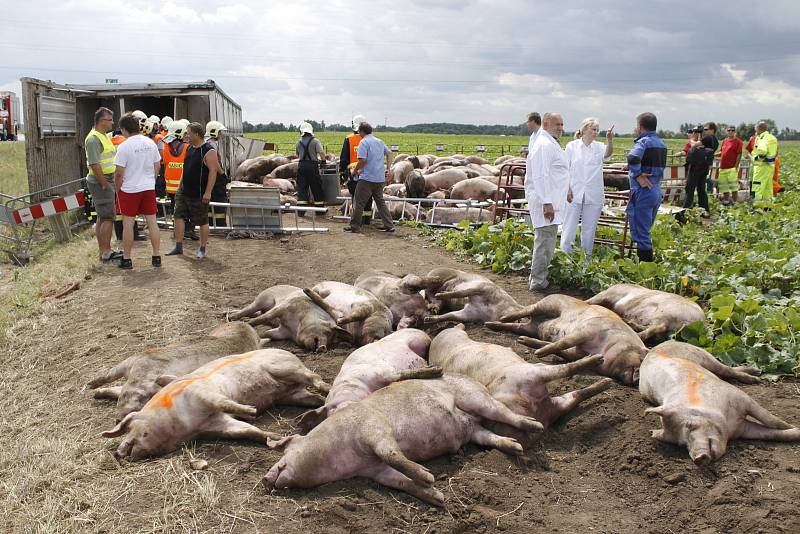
pixel 467 61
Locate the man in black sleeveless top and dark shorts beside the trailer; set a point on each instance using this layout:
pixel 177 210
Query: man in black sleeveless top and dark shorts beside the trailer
pixel 200 170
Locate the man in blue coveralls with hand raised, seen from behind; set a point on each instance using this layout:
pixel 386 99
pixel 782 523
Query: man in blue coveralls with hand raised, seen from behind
pixel 646 162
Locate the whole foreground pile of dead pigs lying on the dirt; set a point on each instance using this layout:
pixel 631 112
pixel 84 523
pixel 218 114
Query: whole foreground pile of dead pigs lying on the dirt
pixel 401 398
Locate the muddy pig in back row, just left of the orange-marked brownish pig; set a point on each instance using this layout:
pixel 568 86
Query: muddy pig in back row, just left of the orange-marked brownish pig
pixel 467 297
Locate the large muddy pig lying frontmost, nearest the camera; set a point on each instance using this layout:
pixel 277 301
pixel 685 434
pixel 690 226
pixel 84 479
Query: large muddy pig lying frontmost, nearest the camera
pixel 383 436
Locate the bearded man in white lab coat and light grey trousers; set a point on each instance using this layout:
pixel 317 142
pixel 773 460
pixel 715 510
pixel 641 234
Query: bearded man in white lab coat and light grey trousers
pixel 546 186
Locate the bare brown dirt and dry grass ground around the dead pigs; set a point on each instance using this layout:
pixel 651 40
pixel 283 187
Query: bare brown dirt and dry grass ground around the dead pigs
pixel 596 471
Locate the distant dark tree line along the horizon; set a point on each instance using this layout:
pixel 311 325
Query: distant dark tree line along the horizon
pixel 743 130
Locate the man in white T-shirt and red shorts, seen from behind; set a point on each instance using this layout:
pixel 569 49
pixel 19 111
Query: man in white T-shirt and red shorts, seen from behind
pixel 138 163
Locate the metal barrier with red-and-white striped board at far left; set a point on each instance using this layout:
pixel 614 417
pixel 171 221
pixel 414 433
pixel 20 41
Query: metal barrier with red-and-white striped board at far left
pixel 17 223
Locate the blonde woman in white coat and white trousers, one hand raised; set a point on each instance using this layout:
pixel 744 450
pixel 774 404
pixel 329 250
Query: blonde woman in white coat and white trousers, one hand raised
pixel 585 195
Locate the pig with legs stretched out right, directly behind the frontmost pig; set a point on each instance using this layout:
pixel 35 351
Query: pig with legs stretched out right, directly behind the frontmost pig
pixel 519 385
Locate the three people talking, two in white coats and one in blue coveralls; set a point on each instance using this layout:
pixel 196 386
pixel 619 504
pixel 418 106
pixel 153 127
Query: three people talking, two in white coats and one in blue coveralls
pixel 565 187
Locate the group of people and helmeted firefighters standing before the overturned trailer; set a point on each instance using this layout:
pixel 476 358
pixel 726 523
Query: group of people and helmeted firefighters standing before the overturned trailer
pixel 127 167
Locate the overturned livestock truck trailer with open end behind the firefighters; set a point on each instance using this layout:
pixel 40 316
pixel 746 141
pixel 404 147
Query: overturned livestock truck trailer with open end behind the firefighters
pixel 58 117
